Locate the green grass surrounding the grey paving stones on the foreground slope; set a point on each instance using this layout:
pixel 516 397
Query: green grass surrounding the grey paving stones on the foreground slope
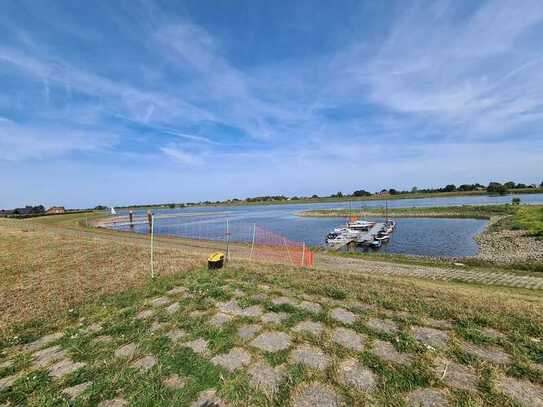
pixel 513 312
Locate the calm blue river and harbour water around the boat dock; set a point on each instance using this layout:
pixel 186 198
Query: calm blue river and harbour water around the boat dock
pixel 419 236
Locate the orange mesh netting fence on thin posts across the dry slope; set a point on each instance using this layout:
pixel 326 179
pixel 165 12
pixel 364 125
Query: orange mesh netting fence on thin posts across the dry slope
pixel 46 269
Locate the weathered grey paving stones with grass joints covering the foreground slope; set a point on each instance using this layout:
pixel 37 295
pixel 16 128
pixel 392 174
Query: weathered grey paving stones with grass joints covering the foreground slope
pixel 332 353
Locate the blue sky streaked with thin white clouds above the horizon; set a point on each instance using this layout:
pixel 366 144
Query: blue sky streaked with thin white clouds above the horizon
pixel 119 102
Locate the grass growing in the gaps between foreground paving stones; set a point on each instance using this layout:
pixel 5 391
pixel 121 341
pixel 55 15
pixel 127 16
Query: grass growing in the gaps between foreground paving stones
pixel 515 321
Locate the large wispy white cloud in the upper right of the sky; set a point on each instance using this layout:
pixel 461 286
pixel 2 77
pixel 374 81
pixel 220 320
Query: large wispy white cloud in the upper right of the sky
pixel 476 75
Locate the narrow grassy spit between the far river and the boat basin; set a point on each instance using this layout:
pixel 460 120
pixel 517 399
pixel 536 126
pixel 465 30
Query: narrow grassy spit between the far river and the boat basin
pixel 465 211
